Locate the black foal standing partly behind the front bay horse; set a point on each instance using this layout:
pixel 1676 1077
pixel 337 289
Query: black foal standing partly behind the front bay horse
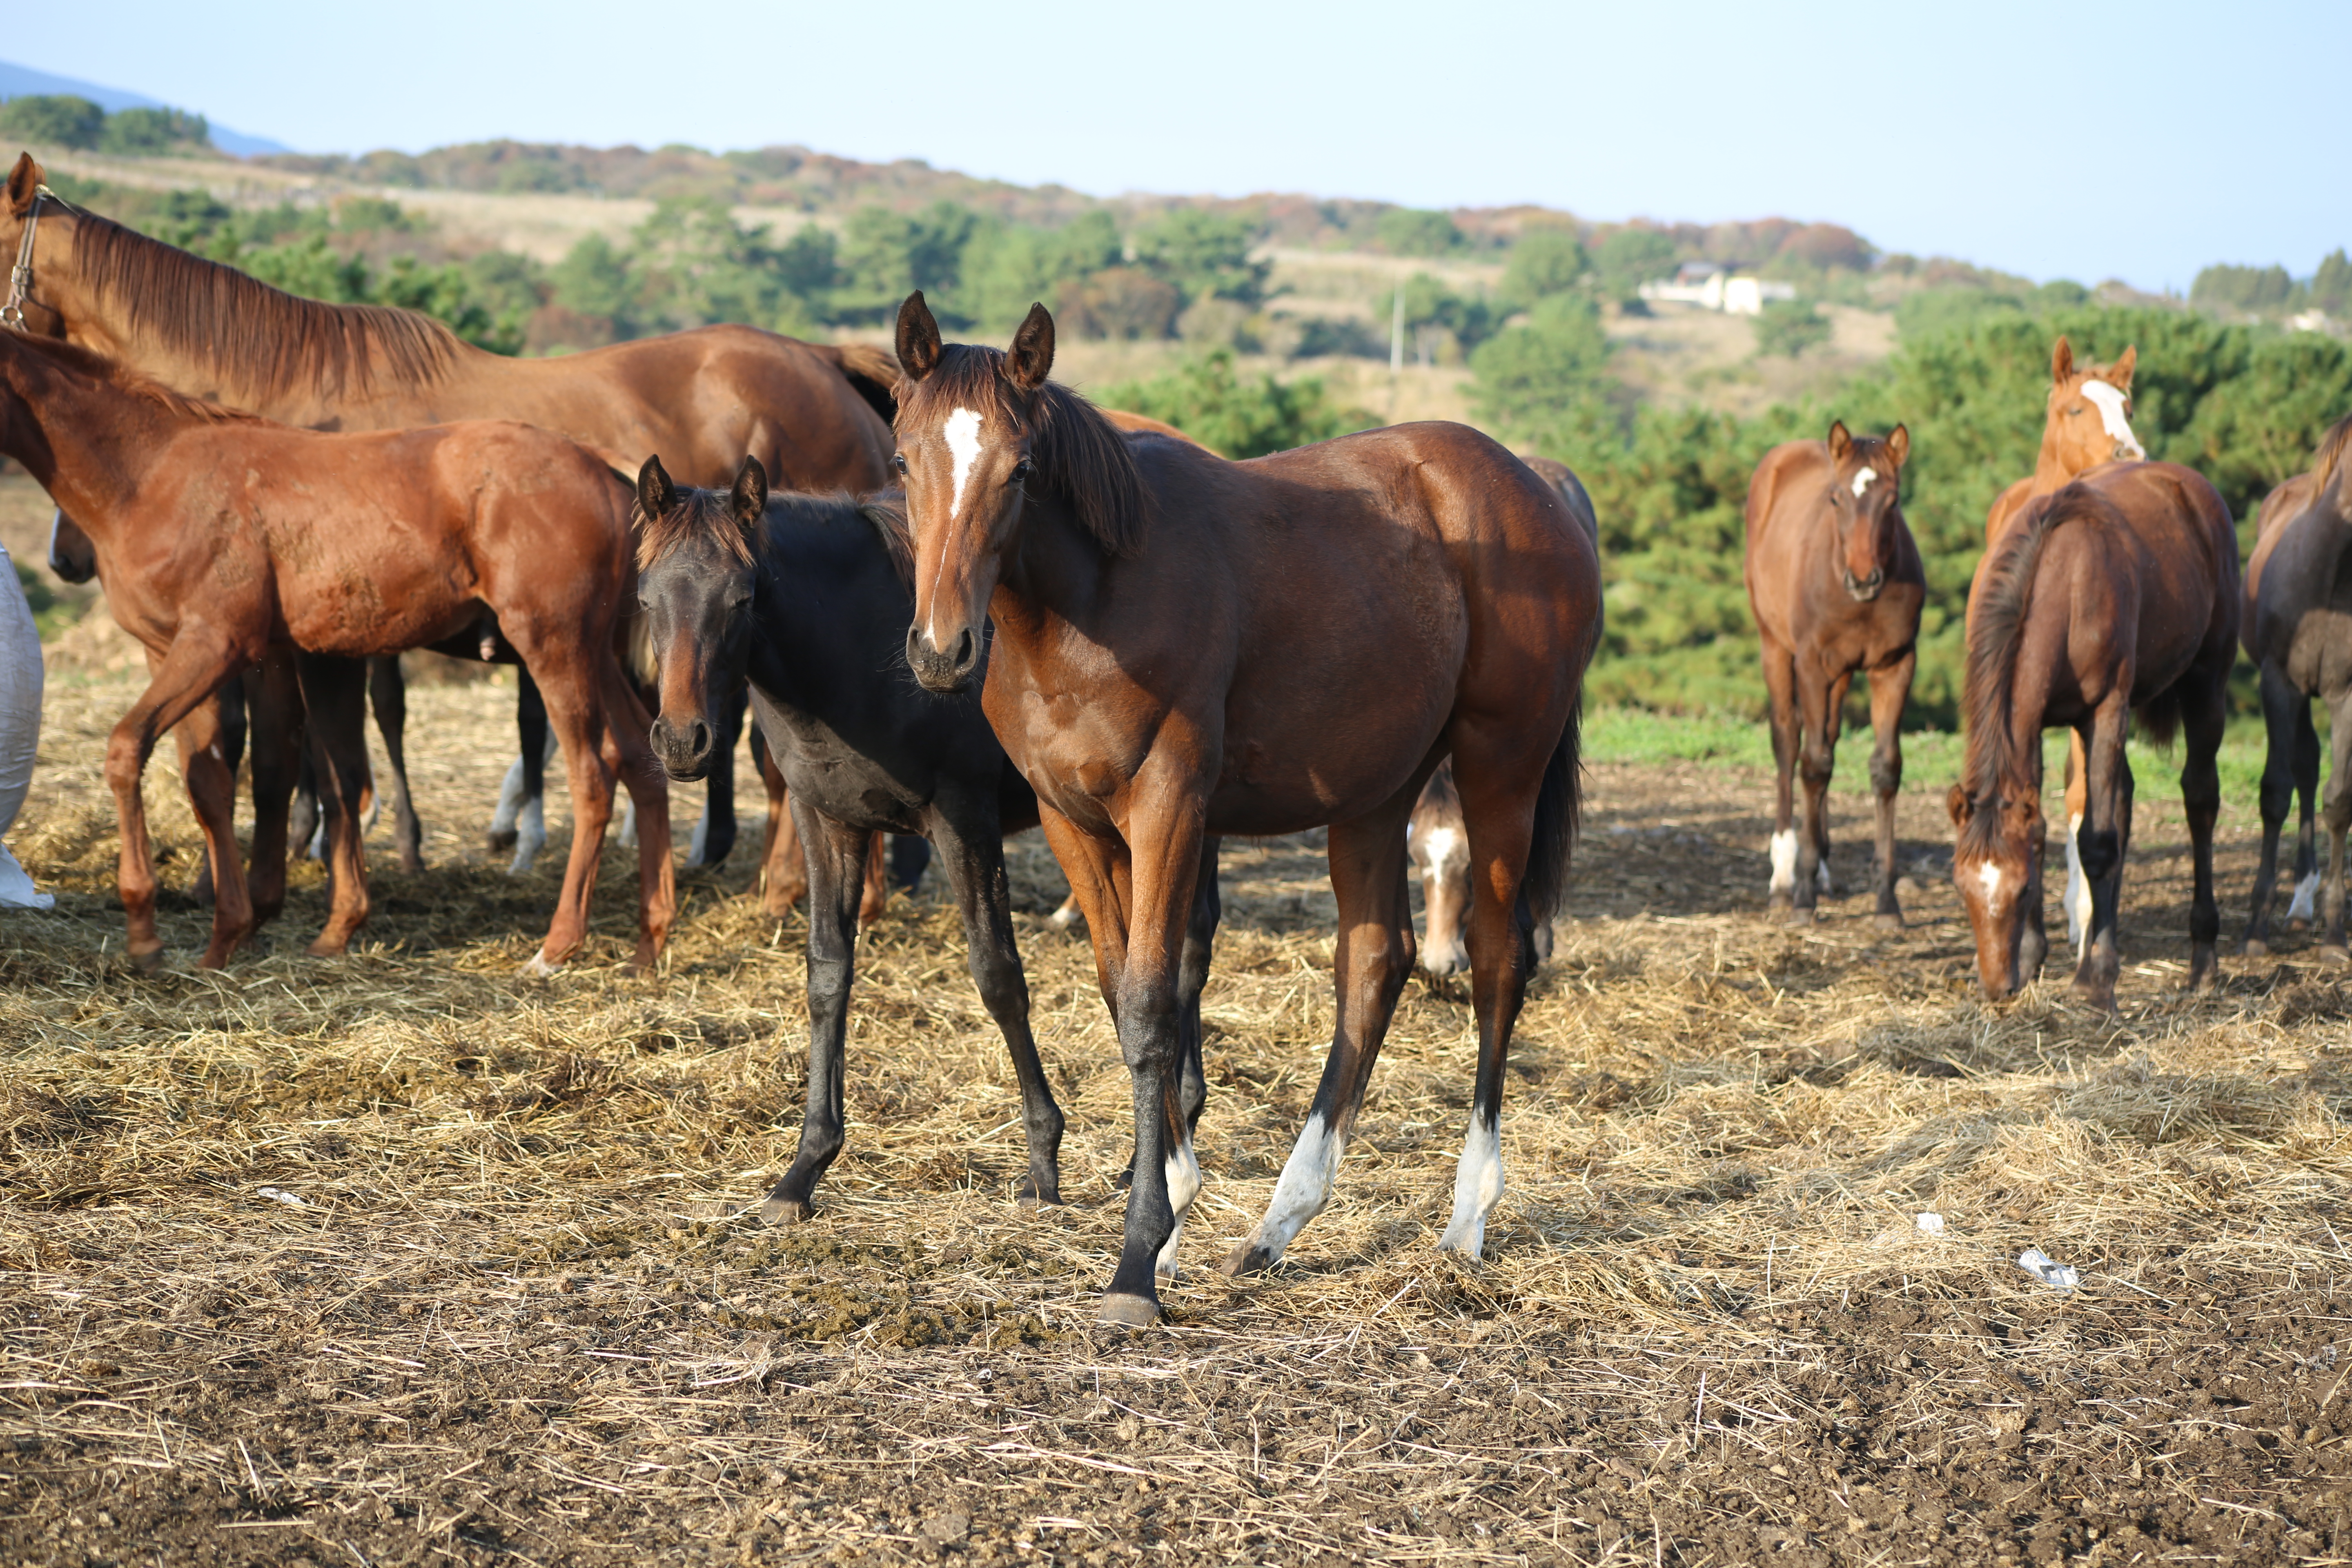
pixel 806 596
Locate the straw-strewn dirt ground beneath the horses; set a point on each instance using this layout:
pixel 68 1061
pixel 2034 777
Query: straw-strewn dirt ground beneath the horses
pixel 403 1259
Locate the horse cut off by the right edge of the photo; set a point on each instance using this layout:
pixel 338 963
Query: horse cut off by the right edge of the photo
pixel 2299 634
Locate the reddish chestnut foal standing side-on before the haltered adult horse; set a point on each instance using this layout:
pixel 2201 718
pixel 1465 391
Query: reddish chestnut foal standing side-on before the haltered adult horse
pixel 227 542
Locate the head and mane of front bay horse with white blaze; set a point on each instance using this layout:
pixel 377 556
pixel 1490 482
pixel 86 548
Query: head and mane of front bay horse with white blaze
pixel 982 441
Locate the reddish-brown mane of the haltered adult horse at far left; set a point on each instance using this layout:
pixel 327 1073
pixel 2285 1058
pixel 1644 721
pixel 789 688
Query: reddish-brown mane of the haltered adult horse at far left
pixel 265 340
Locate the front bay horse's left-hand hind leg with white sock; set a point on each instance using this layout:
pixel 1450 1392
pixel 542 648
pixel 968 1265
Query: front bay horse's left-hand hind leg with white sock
pixel 1370 963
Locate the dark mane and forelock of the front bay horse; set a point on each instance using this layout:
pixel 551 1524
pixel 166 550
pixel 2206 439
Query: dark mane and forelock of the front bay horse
pixel 1078 455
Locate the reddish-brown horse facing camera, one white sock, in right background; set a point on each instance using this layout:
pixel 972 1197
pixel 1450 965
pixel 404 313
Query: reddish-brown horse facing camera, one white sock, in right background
pixel 1836 587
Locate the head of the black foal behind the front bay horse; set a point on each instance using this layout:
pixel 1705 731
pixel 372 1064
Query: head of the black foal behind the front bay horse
pixel 697 568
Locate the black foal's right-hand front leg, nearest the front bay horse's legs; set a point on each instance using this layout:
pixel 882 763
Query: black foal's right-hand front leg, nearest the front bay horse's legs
pixel 970 838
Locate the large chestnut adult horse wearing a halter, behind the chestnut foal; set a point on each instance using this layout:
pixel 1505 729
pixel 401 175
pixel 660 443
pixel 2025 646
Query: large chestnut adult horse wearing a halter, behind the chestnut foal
pixel 813 415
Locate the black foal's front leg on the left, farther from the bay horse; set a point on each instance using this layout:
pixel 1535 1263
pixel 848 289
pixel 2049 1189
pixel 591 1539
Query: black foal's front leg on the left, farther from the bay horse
pixel 836 859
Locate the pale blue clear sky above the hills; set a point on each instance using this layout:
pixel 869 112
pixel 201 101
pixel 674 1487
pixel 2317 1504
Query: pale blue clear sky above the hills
pixel 2085 140
